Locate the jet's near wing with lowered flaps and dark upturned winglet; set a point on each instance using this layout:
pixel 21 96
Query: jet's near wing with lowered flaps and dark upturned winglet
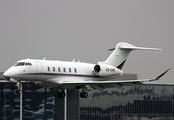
pixel 101 85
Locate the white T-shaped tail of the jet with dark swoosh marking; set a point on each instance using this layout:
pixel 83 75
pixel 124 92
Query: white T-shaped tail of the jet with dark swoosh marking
pixel 120 54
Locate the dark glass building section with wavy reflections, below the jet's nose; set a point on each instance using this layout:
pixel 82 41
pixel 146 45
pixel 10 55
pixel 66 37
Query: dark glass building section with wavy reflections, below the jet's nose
pixel 38 102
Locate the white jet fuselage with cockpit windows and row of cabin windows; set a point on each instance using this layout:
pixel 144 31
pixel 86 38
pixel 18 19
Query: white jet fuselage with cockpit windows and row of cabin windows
pixel 54 71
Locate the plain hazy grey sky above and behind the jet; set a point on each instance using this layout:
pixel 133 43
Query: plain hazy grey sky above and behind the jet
pixel 85 29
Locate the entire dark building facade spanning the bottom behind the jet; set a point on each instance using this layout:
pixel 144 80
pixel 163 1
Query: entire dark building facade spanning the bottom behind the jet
pixel 142 102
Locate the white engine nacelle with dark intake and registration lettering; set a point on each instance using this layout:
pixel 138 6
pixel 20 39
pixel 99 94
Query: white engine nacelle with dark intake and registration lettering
pixel 107 70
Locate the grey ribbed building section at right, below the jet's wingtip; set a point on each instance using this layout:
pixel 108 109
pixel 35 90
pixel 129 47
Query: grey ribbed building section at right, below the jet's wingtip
pixel 143 102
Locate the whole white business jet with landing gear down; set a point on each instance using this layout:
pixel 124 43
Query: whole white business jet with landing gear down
pixel 62 75
